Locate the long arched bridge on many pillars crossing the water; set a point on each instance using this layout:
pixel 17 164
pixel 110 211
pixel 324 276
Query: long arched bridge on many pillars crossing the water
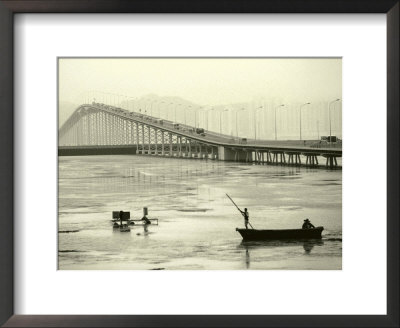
pixel 97 127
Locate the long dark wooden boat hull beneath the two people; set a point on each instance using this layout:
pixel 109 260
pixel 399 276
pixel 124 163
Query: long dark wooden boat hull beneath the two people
pixel 255 234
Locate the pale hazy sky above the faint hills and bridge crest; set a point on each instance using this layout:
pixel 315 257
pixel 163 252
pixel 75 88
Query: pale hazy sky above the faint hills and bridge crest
pixel 204 81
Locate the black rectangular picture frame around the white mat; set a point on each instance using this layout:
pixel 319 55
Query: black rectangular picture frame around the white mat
pixel 10 7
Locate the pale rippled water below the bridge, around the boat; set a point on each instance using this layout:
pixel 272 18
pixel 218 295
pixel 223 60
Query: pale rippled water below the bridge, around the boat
pixel 196 220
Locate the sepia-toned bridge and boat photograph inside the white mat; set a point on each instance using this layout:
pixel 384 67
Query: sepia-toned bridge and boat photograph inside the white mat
pixel 199 163
